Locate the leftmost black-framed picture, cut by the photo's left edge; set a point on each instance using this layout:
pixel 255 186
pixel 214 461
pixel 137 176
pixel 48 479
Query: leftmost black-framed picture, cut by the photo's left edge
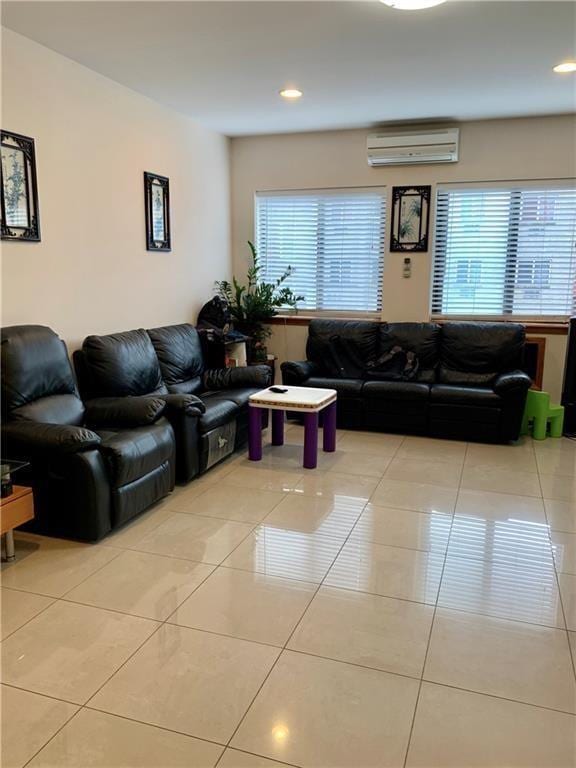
pixel 19 218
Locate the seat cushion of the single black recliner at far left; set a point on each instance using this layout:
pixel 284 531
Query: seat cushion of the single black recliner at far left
pixel 132 453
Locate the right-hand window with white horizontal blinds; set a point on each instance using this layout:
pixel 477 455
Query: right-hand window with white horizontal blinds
pixel 505 251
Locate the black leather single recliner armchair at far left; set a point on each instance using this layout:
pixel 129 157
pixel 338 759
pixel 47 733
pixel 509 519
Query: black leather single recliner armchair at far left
pixel 91 469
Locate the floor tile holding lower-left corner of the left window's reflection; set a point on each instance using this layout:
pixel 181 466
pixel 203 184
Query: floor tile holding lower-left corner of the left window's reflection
pixel 291 554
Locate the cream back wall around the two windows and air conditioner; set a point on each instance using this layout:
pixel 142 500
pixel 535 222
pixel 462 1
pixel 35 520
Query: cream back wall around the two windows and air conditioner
pixel 531 148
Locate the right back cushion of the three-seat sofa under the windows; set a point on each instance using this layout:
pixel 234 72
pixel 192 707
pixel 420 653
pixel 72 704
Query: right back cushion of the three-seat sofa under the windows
pixel 476 353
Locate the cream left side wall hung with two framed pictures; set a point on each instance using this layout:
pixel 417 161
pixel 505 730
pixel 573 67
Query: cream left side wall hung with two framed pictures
pixel 94 139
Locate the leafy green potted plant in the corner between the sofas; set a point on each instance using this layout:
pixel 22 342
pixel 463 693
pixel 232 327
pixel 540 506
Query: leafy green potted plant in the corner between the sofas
pixel 254 304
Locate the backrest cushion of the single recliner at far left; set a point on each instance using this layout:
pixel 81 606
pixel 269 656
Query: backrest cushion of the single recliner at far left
pixel 37 379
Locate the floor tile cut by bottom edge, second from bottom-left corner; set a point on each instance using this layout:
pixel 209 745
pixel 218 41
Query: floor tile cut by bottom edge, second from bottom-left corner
pixel 98 740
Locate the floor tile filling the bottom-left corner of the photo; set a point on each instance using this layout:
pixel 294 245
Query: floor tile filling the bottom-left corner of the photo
pixel 28 721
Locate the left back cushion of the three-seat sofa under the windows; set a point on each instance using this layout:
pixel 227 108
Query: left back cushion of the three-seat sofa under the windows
pixel 358 344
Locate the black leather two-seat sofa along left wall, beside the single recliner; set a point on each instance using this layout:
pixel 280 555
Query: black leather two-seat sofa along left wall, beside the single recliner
pixel 208 409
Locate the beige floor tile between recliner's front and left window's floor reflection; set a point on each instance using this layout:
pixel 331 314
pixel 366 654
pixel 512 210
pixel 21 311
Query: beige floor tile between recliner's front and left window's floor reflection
pixel 192 537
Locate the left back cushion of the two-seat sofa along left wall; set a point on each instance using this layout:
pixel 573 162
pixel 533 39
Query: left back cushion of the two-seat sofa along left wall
pixel 118 365
